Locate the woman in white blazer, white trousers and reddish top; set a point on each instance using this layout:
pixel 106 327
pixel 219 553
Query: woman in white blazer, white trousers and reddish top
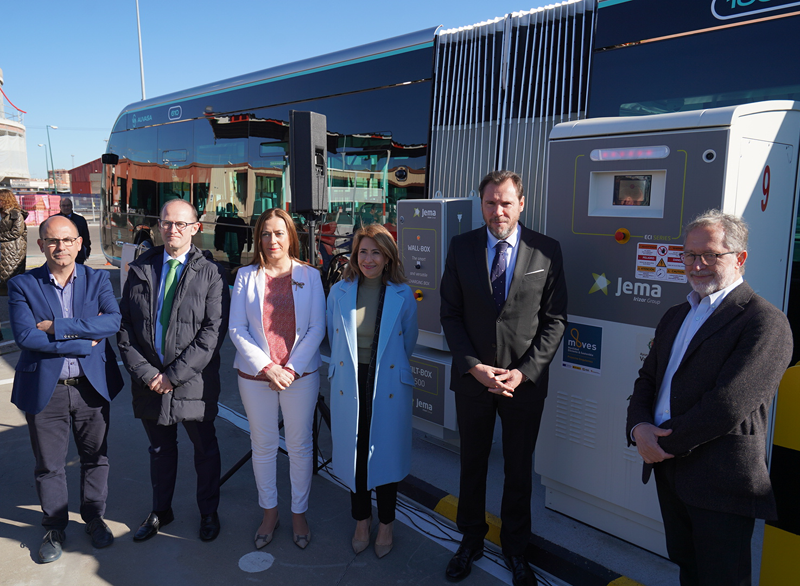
pixel 277 323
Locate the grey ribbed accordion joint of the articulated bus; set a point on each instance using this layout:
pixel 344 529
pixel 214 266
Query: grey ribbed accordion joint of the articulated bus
pixel 500 88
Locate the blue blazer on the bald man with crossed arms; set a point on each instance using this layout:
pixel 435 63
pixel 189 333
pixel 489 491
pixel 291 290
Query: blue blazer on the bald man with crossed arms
pixel 31 299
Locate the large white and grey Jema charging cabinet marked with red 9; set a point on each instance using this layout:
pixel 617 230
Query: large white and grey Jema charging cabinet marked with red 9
pixel 620 191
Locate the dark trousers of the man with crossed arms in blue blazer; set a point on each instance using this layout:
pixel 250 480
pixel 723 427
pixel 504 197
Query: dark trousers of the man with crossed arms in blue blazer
pixel 82 409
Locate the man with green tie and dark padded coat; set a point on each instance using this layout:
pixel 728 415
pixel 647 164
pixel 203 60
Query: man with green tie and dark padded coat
pixel 174 318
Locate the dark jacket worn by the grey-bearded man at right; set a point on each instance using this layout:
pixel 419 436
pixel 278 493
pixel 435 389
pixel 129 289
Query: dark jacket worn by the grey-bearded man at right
pixel 720 398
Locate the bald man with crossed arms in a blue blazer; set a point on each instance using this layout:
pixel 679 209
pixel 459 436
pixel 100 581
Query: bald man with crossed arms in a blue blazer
pixel 61 314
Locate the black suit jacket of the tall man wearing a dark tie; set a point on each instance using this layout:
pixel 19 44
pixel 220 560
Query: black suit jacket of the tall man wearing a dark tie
pixel 528 330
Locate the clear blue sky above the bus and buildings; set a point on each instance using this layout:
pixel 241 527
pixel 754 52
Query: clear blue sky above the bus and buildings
pixel 75 64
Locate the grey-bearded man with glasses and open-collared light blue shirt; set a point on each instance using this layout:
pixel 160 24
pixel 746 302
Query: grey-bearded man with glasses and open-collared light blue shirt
pixel 700 407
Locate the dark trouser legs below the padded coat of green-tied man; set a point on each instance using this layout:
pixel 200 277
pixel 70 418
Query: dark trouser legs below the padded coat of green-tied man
pixel 164 463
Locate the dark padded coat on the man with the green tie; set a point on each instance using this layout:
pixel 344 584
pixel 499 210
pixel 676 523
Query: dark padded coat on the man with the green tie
pixel 197 326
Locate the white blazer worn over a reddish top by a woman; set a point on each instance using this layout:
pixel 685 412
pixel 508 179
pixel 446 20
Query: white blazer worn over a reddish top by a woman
pixel 246 325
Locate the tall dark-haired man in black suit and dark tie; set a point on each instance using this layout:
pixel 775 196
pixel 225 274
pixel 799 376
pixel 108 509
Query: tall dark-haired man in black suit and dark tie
pixel 504 311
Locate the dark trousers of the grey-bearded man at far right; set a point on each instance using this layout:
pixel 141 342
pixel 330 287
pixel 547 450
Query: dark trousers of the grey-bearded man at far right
pixel 711 548
